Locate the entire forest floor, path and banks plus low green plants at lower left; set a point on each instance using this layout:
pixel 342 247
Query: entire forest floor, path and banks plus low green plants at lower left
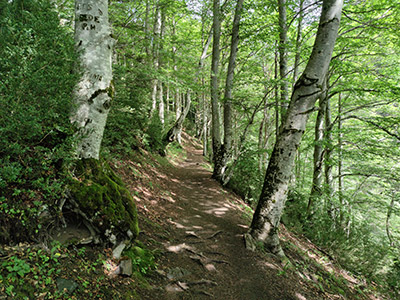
pixel 195 228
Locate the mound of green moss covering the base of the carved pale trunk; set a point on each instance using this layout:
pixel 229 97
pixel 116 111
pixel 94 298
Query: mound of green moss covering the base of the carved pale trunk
pixel 101 195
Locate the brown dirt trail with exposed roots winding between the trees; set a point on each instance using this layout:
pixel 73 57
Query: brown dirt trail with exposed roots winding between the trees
pixel 205 257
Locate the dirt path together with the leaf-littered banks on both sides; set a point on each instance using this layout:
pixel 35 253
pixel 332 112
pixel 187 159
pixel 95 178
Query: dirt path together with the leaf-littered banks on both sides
pixel 198 227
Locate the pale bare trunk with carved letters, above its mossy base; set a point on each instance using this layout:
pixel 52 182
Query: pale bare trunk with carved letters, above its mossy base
pixel 94 92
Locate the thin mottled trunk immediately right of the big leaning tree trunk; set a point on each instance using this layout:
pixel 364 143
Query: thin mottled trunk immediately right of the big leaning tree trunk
pixel 316 187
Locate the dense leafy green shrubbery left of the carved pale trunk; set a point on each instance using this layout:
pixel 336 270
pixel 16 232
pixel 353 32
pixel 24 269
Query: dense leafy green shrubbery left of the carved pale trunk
pixel 36 81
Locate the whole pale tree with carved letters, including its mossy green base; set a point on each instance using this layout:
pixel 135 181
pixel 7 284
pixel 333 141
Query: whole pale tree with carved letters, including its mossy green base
pixel 96 195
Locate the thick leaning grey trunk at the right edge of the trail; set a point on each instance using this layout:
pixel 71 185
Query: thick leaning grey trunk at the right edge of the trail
pixel 264 227
